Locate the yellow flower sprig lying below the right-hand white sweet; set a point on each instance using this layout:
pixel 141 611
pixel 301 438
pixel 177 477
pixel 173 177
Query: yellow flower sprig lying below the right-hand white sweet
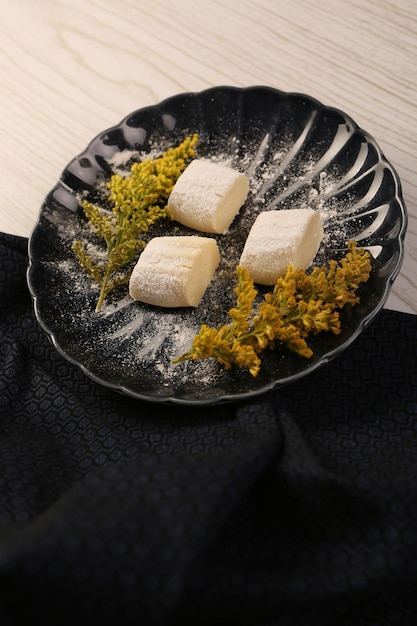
pixel 299 304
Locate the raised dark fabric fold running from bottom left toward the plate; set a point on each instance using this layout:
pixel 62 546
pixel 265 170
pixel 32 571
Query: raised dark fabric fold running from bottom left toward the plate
pixel 135 527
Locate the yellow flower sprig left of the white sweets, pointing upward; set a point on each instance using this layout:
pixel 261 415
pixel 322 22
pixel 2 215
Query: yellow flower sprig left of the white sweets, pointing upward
pixel 137 202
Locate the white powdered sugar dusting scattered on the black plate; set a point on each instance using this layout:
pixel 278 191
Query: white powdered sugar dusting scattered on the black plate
pixel 140 337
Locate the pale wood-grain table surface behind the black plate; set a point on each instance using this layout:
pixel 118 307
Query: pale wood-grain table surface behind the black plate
pixel 70 69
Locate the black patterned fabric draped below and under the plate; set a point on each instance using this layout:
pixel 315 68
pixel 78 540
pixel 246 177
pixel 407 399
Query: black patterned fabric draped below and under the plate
pixel 299 508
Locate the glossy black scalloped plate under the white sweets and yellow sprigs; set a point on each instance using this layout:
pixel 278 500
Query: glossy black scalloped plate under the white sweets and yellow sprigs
pixel 296 152
